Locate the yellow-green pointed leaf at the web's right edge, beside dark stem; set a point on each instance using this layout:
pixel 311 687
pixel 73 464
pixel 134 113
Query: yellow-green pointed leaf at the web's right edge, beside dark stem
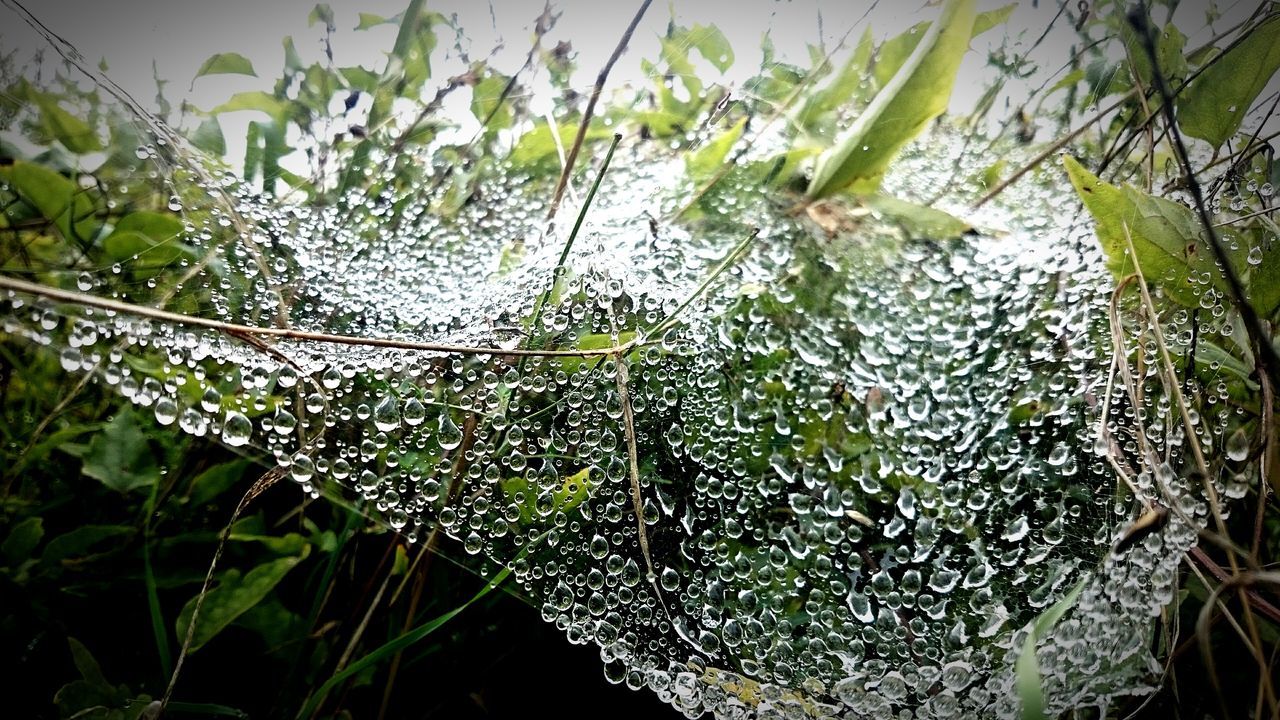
pixel 1167 236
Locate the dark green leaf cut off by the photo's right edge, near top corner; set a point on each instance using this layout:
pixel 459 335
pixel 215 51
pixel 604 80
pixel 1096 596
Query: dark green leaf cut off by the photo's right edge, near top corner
pixel 1215 104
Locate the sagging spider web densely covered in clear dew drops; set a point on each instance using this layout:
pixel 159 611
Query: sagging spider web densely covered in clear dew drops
pixel 866 461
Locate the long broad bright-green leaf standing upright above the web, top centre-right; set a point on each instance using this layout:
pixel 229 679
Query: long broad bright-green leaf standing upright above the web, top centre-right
pixel 918 93
